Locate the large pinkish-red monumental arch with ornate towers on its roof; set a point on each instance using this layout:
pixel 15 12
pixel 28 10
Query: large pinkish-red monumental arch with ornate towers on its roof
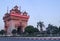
pixel 15 19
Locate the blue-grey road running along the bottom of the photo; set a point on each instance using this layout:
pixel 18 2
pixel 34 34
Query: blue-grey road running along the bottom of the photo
pixel 29 38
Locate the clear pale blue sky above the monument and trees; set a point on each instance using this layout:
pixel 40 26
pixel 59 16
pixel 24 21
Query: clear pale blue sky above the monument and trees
pixel 47 11
